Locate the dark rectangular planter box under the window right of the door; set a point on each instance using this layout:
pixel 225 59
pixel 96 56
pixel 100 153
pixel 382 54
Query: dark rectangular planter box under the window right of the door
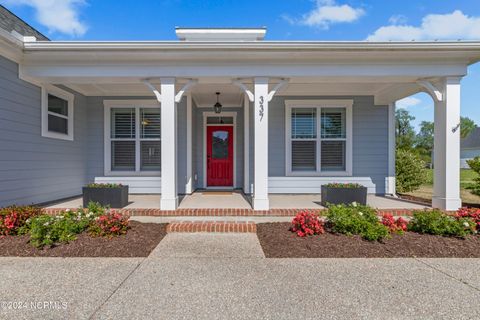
pixel 344 193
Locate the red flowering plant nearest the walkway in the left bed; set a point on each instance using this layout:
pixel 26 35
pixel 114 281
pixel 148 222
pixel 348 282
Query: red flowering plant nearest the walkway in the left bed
pixel 109 224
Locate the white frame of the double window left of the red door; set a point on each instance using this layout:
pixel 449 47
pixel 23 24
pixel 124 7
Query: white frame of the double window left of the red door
pixel 127 104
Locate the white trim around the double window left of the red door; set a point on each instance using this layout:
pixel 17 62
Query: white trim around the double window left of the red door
pixel 137 104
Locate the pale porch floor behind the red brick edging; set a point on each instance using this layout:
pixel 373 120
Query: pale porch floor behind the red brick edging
pixel 237 200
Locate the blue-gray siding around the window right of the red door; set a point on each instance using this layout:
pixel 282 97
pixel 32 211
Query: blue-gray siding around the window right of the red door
pixel 370 138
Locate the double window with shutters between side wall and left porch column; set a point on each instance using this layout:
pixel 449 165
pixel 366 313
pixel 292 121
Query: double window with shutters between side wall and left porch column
pixel 133 142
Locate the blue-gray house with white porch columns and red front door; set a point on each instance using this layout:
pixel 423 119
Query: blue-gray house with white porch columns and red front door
pixel 295 114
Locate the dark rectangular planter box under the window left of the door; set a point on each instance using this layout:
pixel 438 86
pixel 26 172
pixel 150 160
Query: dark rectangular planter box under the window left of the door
pixel 114 195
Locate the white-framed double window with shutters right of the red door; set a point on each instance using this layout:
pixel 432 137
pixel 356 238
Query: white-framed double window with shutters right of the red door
pixel 318 137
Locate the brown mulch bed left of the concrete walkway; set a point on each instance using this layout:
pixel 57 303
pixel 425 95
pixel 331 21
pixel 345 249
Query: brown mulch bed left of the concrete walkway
pixel 139 241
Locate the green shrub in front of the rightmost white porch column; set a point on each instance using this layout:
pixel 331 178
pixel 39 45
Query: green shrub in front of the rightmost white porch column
pixel 438 223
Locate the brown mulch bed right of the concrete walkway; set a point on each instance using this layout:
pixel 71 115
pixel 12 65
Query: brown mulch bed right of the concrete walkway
pixel 278 242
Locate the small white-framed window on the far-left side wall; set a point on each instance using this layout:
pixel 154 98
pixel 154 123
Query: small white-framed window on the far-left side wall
pixel 57 113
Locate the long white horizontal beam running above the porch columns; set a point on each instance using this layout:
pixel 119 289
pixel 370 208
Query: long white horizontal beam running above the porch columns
pixel 89 72
